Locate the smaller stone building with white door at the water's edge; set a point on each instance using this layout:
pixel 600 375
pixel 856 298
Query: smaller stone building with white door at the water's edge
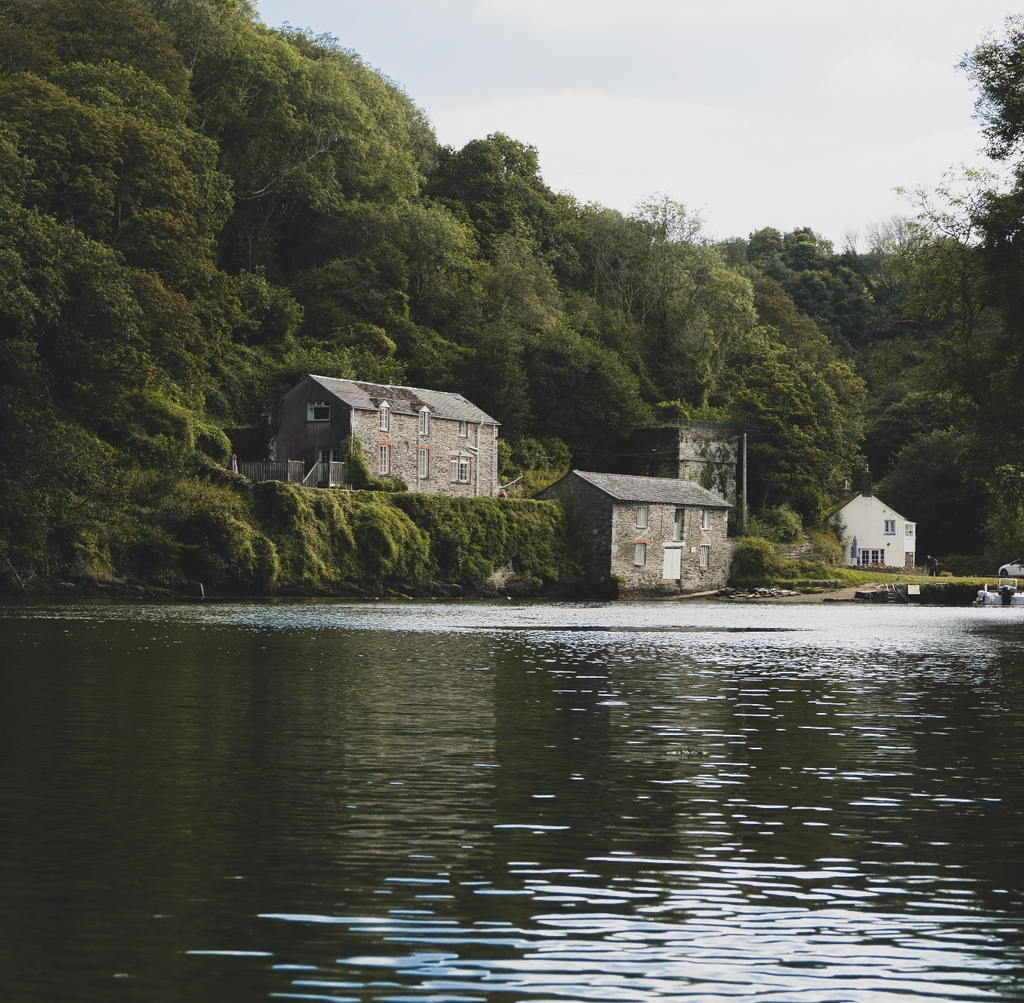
pixel 660 535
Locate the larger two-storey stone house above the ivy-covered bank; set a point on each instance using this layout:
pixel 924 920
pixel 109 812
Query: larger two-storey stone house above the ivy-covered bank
pixel 440 444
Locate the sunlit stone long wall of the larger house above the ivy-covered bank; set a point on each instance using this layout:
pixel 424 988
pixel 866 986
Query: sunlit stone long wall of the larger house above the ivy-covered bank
pixel 444 442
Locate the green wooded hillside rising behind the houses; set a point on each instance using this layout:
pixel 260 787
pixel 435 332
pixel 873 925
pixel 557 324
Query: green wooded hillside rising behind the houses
pixel 197 210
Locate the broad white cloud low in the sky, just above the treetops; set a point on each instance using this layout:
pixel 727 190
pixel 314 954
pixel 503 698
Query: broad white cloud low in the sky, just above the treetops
pixel 742 172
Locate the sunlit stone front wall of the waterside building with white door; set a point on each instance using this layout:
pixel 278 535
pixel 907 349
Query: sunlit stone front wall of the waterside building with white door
pixel 648 579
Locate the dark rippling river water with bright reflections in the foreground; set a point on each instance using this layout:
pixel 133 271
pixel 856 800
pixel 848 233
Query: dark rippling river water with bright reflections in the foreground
pixel 443 803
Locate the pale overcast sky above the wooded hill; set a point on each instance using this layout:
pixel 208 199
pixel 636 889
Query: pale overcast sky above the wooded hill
pixel 756 113
